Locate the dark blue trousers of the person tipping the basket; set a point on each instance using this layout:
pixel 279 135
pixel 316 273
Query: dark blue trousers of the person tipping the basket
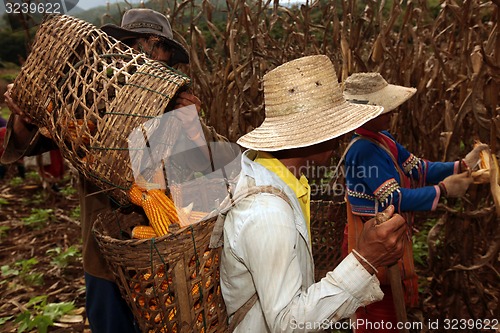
pixel 106 310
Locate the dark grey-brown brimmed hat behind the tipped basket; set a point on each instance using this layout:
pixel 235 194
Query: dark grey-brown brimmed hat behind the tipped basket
pixel 143 22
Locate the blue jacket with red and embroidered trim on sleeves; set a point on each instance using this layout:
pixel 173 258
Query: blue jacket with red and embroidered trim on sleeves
pixel 373 182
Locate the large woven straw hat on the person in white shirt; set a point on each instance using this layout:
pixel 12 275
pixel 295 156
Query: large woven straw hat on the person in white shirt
pixel 304 106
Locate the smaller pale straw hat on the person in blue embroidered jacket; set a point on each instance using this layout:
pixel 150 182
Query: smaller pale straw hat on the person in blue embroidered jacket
pixel 371 88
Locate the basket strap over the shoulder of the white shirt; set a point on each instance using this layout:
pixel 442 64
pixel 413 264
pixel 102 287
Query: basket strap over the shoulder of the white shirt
pixel 216 238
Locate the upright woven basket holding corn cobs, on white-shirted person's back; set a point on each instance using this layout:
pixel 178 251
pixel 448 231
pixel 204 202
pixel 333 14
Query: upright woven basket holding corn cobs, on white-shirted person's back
pixel 171 283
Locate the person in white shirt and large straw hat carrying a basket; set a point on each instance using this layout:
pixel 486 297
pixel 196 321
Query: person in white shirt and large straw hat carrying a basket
pixel 267 268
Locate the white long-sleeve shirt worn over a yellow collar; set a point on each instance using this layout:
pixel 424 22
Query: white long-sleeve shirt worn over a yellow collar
pixel 267 251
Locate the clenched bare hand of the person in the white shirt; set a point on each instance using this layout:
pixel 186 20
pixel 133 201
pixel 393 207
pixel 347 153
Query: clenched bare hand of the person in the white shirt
pixel 381 240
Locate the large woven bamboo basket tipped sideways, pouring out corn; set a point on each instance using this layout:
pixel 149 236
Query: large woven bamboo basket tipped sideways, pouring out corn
pixel 87 91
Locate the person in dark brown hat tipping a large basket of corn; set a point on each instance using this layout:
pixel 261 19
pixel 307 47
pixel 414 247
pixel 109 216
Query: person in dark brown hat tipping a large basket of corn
pixel 147 31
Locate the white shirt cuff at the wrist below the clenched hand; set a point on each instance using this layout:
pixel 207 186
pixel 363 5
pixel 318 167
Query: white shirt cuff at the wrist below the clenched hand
pixel 355 279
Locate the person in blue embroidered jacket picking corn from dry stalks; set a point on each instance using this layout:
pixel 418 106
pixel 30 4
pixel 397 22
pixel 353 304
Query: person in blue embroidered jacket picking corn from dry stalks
pixel 380 172
